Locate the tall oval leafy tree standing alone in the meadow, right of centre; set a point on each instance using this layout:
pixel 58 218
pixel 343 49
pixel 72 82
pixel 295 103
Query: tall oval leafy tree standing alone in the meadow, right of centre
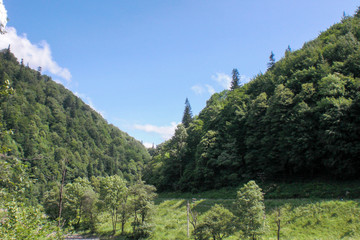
pixel 250 210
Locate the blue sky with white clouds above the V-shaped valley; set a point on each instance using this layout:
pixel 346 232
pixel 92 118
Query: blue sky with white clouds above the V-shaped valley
pixel 136 62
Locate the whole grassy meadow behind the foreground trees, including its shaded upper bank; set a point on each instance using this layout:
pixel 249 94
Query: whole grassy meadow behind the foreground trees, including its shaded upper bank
pixel 308 211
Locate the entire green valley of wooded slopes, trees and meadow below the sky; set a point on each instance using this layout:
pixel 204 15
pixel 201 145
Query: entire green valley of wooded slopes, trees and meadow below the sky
pixel 65 170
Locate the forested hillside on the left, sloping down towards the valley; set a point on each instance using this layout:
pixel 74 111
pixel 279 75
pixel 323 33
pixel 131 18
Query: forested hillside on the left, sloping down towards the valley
pixel 51 126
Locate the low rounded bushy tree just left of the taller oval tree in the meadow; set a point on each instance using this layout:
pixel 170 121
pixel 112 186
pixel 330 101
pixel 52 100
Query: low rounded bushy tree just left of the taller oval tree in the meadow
pixel 218 223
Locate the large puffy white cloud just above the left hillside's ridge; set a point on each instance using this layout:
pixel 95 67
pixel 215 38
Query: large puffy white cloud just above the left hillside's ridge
pixel 37 55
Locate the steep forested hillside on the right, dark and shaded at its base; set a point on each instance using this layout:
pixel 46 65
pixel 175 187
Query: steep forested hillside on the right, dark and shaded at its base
pixel 299 120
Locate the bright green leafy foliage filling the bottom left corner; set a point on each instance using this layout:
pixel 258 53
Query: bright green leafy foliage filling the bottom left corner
pixel 20 215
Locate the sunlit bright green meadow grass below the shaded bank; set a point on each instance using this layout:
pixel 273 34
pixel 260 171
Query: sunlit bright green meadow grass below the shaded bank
pixel 301 218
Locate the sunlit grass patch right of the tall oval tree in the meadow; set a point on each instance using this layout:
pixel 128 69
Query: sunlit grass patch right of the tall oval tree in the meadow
pixel 323 219
